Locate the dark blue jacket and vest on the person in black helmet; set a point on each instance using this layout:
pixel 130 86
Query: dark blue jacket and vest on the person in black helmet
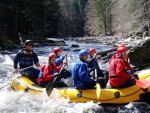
pixel 25 59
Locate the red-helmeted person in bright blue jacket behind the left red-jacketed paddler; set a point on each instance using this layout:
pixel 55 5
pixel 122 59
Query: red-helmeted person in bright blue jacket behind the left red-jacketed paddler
pixel 59 61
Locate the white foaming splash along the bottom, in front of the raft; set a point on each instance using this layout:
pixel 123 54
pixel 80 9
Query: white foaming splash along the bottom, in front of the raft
pixel 19 102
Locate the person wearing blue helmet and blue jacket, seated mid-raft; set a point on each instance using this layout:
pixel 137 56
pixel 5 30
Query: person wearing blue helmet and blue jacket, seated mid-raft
pixel 79 71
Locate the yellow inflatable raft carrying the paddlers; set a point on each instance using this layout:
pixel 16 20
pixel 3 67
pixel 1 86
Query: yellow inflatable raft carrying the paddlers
pixel 107 95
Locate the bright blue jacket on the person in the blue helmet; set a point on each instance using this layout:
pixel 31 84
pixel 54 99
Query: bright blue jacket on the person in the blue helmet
pixel 80 75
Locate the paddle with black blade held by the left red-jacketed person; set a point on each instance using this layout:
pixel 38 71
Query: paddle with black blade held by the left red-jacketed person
pixel 50 86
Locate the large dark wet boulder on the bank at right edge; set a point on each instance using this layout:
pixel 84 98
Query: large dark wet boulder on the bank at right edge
pixel 139 55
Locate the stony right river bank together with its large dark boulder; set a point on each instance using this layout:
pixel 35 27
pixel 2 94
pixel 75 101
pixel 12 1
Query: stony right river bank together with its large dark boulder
pixel 139 47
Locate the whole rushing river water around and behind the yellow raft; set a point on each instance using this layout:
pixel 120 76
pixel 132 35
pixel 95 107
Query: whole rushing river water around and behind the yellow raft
pixel 21 102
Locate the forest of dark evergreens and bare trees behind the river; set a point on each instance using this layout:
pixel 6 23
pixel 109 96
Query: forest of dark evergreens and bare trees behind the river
pixel 38 19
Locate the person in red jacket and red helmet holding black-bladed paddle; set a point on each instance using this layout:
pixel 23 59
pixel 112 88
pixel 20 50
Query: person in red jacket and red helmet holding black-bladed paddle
pixel 49 71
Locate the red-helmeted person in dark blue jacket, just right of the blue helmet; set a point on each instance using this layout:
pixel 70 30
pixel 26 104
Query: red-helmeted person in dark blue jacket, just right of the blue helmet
pixel 93 63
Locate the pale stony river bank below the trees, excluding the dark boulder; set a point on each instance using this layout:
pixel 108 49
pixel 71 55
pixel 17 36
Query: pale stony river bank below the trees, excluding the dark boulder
pixel 110 40
